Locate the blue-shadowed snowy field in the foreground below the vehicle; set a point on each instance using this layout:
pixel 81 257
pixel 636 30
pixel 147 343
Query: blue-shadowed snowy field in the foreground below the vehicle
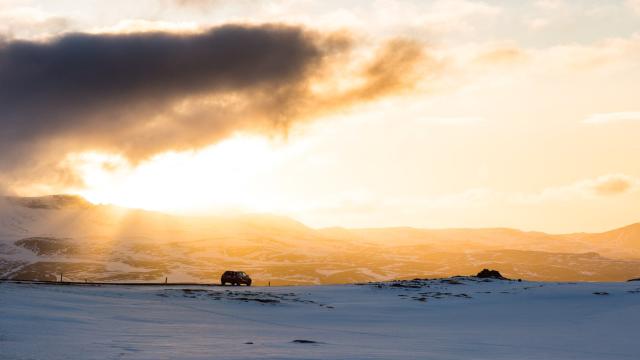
pixel 461 318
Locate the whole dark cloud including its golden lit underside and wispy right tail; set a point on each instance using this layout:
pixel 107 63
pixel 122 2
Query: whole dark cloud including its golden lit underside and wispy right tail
pixel 144 93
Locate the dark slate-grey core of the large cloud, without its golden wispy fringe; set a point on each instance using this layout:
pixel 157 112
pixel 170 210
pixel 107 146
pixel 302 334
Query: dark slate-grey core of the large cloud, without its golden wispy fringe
pixel 94 83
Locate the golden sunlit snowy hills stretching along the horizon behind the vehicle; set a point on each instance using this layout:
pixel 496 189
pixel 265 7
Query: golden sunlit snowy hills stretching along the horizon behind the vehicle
pixel 44 238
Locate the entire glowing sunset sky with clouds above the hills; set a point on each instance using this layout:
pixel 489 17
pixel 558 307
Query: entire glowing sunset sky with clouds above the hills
pixel 435 114
